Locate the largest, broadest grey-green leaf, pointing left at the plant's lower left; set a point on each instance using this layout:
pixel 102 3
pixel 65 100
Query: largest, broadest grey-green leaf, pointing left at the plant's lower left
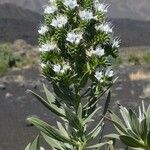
pixel 50 131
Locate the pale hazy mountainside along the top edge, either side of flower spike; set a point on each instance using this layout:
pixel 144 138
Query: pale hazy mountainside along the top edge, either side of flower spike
pixel 133 9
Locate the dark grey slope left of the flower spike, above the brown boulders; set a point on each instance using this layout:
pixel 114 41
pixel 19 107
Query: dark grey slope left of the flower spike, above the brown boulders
pixel 16 23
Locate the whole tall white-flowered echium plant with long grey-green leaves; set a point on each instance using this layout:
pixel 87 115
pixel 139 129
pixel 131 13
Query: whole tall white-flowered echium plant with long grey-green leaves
pixel 77 49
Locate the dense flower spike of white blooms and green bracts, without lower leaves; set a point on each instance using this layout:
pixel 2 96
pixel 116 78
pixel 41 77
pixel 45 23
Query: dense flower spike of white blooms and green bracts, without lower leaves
pixel 67 36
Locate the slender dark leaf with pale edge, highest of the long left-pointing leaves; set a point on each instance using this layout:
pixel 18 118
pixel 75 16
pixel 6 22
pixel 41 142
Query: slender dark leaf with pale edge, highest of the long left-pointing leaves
pixel 54 109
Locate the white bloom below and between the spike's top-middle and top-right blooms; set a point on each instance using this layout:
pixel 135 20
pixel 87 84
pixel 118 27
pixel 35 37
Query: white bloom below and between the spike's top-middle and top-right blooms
pixel 86 15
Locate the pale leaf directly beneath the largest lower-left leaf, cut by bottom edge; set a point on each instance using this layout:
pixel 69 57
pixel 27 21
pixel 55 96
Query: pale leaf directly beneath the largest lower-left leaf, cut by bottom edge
pixel 52 142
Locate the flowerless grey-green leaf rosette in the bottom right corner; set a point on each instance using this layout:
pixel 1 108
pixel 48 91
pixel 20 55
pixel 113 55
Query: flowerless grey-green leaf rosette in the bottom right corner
pixel 134 131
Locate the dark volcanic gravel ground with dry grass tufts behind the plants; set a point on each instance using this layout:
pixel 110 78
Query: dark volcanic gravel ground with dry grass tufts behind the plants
pixel 132 87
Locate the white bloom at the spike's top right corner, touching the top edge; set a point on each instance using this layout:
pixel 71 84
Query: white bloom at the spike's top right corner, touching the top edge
pixel 100 6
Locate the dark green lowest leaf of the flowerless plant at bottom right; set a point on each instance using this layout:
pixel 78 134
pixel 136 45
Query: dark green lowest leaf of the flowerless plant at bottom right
pixel 131 142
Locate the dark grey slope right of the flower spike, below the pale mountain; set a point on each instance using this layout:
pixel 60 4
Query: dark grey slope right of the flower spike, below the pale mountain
pixel 132 32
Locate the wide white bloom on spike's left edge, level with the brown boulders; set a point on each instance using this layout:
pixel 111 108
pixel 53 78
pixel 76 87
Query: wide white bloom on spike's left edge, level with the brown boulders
pixel 47 47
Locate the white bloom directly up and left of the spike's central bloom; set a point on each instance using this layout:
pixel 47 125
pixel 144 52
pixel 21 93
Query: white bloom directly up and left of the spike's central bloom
pixel 60 21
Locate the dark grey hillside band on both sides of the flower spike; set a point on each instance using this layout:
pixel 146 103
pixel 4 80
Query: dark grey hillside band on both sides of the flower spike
pixel 17 23
